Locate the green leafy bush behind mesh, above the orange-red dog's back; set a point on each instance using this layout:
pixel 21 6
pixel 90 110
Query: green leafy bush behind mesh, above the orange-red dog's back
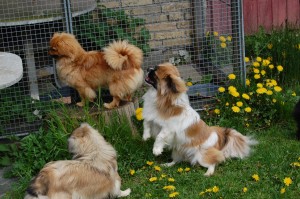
pixel 109 25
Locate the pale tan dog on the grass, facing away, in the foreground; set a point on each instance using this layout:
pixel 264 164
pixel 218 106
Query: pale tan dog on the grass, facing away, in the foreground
pixel 91 174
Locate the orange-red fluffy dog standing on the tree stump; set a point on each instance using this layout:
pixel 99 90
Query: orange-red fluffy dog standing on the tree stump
pixel 117 67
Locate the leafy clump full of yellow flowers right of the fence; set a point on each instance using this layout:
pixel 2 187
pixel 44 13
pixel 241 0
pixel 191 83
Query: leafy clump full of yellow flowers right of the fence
pixel 260 101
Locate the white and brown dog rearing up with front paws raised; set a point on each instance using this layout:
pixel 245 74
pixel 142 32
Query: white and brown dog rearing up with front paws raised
pixel 180 127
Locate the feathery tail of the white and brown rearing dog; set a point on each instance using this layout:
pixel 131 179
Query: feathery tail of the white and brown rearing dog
pixel 237 145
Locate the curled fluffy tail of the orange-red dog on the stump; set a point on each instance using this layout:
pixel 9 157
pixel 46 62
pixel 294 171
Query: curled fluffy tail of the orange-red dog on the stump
pixel 122 55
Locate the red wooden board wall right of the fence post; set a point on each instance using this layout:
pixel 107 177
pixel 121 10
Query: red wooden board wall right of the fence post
pixel 270 14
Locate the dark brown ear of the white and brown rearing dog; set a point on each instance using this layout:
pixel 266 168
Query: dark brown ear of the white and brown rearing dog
pixel 173 84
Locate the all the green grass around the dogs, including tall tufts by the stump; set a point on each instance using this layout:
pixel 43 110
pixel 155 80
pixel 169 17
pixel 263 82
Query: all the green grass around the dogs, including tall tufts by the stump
pixel 271 160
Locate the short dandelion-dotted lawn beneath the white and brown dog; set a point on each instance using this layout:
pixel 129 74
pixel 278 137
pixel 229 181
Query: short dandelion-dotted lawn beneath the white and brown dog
pixel 271 161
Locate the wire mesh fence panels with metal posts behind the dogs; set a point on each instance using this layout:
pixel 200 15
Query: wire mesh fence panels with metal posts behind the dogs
pixel 203 38
